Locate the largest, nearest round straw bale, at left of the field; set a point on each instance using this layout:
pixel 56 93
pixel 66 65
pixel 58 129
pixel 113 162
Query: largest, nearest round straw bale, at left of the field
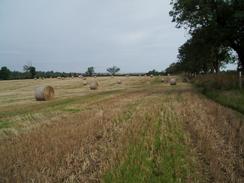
pixel 43 93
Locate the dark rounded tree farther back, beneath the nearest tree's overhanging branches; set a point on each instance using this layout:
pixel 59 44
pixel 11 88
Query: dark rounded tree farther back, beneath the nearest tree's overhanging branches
pixel 199 55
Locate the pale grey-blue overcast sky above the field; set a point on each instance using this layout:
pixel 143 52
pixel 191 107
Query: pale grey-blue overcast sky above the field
pixel 70 35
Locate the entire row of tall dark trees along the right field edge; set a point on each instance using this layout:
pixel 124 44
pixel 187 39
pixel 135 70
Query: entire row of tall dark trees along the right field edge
pixel 216 29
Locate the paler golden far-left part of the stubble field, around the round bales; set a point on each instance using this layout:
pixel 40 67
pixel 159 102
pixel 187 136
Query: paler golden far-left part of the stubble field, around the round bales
pixel 18 107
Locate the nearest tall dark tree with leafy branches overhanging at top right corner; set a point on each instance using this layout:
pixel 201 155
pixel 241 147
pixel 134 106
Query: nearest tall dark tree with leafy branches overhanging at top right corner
pixel 224 20
